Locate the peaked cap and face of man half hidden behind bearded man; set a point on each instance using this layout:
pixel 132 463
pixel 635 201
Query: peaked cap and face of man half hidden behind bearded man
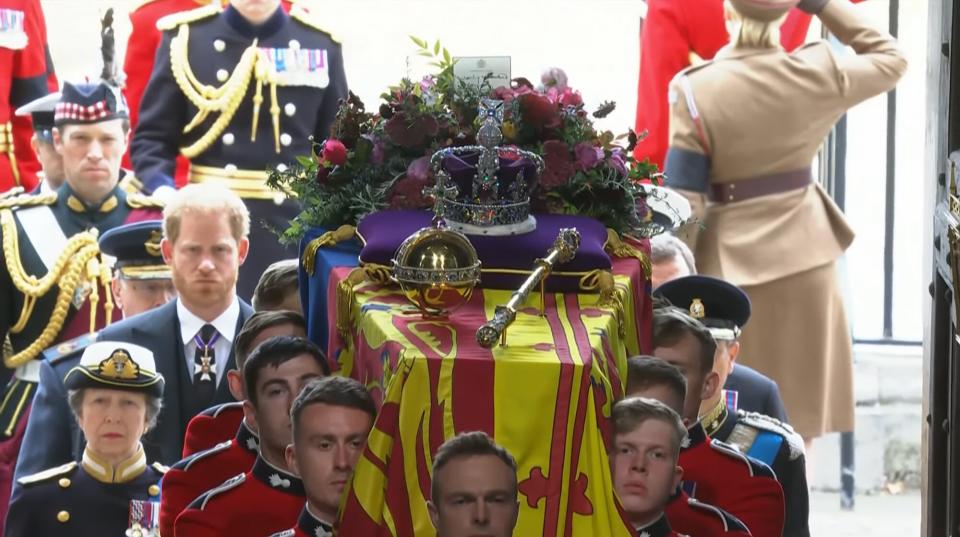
pixel 141 280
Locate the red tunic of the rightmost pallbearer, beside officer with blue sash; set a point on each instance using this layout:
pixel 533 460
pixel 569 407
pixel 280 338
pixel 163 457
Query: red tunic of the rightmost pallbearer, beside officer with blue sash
pixel 720 475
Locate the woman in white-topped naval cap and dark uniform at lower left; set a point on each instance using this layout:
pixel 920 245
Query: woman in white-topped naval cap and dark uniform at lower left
pixel 115 394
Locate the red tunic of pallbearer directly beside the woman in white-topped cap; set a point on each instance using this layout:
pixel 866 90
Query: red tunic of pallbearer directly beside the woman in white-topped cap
pixel 200 472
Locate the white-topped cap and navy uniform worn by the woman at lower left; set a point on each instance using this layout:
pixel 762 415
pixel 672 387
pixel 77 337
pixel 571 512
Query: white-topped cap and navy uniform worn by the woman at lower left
pixel 96 496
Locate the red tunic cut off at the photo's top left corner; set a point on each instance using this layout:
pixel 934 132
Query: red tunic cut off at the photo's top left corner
pixel 26 73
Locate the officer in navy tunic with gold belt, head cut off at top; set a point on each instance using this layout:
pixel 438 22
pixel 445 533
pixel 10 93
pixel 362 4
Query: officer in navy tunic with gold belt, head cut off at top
pixel 237 90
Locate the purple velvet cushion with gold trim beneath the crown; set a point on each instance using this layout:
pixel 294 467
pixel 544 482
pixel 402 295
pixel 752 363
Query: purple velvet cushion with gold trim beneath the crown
pixel 507 261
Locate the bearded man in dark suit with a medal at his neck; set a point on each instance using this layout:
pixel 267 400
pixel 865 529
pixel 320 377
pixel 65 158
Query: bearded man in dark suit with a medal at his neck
pixel 205 242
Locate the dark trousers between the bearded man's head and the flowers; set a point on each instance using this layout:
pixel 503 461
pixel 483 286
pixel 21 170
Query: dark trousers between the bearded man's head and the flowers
pixel 265 248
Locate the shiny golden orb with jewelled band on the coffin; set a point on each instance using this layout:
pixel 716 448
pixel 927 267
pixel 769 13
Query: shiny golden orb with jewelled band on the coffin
pixel 437 268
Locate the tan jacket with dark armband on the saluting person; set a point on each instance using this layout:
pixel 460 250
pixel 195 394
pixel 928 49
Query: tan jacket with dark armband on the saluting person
pixel 756 112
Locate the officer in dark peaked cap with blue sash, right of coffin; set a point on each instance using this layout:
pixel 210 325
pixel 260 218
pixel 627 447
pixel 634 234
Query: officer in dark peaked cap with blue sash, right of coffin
pixel 725 309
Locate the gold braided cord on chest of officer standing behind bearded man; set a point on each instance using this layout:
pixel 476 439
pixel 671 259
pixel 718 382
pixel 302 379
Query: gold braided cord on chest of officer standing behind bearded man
pixel 224 99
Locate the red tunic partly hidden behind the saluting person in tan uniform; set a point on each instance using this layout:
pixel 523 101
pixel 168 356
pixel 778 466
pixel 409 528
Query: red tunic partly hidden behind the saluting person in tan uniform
pixel 674 29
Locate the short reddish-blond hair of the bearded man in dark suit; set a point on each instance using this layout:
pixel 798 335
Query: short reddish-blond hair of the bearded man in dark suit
pixel 206 198
